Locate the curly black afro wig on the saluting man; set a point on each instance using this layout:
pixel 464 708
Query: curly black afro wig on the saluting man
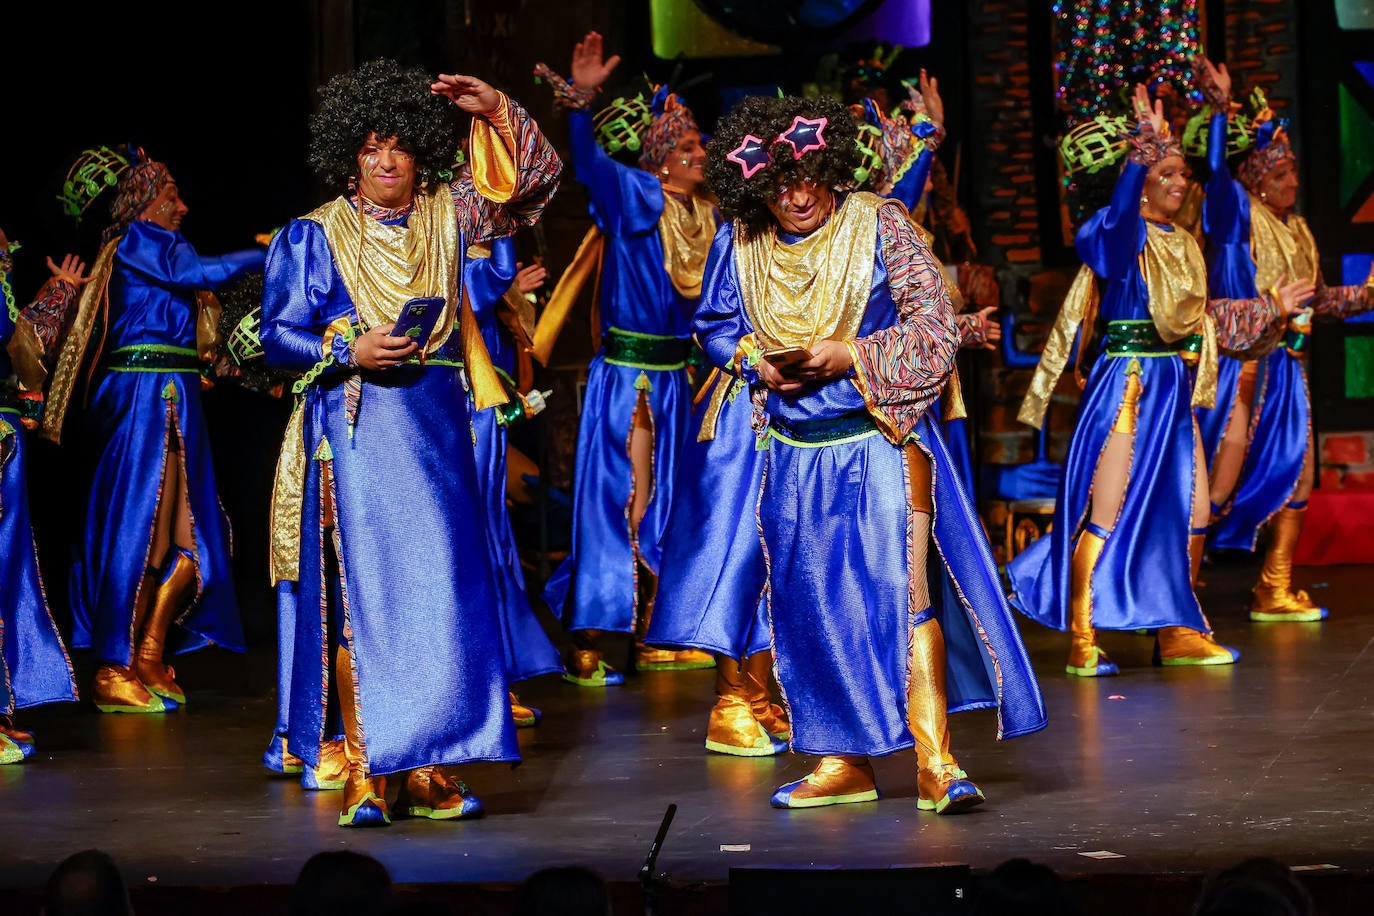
pixel 383 98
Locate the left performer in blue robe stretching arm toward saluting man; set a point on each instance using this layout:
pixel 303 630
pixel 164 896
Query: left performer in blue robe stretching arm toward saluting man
pixel 157 542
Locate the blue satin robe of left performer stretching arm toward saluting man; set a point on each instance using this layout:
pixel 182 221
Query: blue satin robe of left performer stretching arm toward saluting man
pixel 131 420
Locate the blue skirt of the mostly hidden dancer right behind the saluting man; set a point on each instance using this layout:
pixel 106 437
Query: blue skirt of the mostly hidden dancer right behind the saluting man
pixel 528 649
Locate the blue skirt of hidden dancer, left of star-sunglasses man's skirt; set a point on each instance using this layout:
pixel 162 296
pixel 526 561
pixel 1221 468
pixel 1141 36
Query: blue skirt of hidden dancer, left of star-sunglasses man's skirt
pixel 712 580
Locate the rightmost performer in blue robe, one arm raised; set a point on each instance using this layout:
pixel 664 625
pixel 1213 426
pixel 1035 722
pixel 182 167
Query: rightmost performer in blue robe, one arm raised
pixel 1259 439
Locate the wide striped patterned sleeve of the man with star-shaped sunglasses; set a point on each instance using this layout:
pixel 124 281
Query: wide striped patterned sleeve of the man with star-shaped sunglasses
pixel 902 369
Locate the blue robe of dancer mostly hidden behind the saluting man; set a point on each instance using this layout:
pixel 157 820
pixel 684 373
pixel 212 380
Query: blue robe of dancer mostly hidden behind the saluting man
pixel 528 649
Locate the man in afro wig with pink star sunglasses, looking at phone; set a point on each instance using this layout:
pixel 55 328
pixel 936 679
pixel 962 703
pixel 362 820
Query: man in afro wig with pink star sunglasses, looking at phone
pixel 857 481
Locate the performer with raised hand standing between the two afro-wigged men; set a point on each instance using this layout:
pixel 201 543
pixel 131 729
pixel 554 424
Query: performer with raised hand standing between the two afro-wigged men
pixel 653 230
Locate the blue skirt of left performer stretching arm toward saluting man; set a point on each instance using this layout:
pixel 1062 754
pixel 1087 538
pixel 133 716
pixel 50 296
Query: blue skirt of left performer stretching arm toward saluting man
pixel 131 424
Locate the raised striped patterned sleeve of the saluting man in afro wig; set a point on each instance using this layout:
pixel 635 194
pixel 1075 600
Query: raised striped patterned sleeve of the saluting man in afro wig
pixel 539 170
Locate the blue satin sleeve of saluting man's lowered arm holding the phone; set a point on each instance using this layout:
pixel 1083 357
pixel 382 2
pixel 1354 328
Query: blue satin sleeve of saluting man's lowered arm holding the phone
pixel 302 295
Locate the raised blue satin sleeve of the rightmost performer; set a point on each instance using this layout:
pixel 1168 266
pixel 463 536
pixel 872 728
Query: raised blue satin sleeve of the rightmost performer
pixel 1226 222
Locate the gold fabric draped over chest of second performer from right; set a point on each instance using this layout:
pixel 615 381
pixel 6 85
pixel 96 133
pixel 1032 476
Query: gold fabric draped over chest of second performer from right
pixel 1175 279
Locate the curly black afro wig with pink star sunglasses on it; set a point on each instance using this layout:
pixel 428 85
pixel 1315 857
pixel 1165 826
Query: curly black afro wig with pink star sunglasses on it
pixel 747 200
